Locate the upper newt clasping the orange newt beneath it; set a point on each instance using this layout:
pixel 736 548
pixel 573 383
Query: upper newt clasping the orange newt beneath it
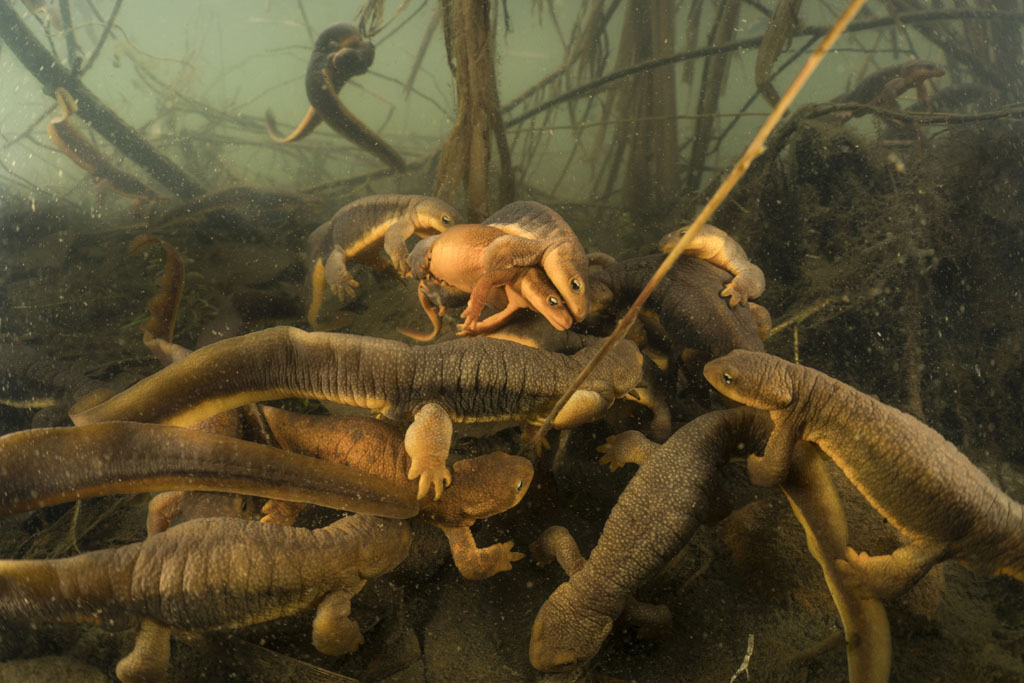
pixel 535 236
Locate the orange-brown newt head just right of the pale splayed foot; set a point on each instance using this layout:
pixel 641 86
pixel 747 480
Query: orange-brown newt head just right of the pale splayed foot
pixel 491 484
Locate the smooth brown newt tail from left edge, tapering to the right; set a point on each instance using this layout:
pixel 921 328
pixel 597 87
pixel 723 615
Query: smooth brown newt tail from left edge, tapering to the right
pixel 42 467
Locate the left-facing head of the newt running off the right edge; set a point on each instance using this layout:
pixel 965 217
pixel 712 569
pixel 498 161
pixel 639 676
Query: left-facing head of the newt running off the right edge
pixel 752 378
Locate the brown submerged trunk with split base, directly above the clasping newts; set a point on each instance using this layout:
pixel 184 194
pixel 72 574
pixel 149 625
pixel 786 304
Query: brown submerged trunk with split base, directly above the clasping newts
pixel 466 157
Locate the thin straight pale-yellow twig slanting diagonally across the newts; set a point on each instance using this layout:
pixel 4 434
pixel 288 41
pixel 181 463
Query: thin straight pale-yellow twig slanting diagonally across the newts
pixel 755 149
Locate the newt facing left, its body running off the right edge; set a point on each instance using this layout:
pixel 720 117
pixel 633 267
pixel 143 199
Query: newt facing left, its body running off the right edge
pixel 923 486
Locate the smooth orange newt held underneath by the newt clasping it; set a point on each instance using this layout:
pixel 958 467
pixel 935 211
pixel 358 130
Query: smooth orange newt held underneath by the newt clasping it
pixel 456 260
